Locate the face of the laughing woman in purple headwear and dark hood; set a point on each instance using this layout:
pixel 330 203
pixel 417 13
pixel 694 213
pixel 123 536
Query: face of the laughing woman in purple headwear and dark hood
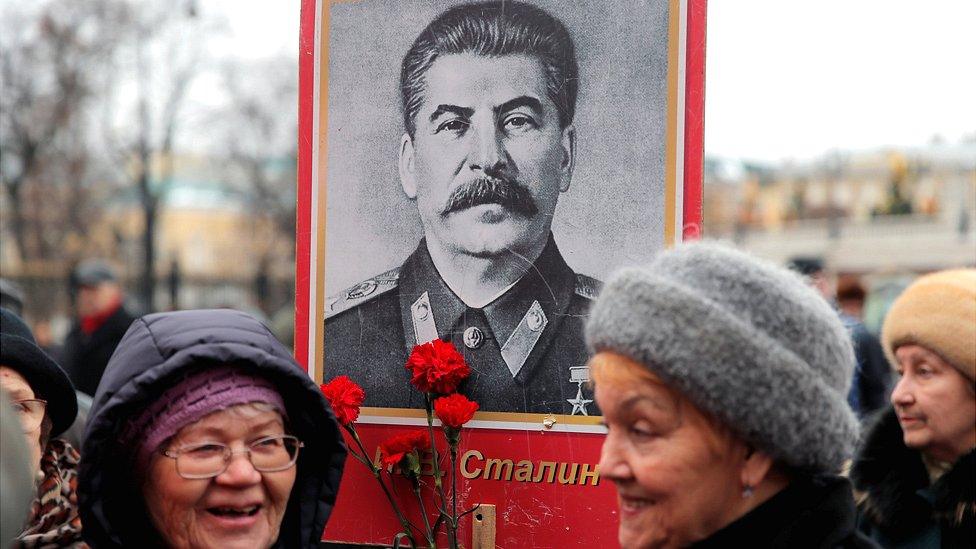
pixel 241 507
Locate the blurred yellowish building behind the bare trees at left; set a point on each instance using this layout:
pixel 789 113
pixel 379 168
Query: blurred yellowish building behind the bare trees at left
pixel 216 246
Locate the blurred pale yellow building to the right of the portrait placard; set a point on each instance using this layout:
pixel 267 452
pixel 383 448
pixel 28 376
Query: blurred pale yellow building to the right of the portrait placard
pixel 884 216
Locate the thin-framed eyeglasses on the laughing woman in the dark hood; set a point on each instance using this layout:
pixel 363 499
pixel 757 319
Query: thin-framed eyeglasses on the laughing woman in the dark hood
pixel 209 459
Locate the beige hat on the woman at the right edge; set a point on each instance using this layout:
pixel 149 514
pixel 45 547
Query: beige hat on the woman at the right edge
pixel 938 312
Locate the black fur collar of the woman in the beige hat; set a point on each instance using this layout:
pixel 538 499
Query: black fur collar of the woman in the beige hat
pixel 895 498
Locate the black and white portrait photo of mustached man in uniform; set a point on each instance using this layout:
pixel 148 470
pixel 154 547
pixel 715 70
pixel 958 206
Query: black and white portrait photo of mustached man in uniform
pixel 485 166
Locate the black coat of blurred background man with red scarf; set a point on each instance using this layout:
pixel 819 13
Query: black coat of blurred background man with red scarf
pixel 85 356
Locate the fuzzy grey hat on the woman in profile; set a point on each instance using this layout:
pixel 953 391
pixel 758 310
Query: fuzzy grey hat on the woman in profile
pixel 743 339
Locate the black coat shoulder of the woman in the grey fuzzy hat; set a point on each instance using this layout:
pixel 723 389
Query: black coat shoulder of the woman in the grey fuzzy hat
pixel 812 513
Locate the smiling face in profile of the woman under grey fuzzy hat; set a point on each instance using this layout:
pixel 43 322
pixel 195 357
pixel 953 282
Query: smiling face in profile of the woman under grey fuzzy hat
pixel 678 476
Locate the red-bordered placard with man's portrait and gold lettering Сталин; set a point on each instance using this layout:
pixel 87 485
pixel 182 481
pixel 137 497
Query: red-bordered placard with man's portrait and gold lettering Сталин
pixel 447 193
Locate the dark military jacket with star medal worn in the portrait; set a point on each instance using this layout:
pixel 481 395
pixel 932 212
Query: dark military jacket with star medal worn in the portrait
pixel 525 349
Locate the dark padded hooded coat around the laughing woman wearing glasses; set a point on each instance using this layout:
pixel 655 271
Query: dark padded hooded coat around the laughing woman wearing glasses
pixel 160 346
